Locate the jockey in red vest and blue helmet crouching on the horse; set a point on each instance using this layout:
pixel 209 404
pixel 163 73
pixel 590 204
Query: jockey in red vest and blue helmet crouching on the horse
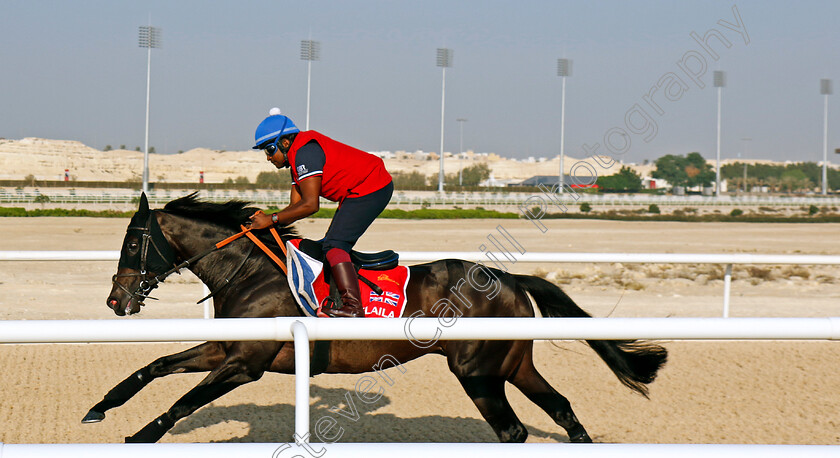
pixel 321 166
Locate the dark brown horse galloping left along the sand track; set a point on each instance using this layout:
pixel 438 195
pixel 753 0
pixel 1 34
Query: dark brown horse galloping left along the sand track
pixel 186 232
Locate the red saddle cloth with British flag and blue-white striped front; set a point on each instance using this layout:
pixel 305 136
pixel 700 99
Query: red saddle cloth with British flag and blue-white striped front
pixel 306 279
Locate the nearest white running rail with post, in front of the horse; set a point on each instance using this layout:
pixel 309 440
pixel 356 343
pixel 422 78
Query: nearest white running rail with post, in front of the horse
pixel 419 330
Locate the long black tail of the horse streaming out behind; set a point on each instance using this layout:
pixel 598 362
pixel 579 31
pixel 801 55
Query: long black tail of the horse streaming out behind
pixel 635 363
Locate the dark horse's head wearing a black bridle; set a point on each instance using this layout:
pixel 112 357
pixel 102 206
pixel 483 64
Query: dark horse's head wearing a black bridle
pixel 145 255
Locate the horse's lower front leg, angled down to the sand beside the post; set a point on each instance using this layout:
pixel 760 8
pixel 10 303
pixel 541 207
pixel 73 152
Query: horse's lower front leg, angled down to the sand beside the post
pixel 245 362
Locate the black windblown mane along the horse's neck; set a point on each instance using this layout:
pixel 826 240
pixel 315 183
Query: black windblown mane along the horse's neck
pixel 230 214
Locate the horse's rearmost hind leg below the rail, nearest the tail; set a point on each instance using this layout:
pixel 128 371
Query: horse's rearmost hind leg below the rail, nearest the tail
pixel 537 389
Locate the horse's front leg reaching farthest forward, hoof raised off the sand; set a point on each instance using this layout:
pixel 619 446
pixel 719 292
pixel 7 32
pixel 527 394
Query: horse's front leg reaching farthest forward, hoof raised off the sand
pixel 201 358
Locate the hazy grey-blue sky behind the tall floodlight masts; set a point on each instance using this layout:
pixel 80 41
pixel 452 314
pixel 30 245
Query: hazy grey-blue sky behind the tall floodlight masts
pixel 640 88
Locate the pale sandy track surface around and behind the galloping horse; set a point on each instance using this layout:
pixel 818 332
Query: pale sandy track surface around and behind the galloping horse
pixel 710 392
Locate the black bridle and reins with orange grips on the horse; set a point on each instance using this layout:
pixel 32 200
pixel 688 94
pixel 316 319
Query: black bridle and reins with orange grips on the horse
pixel 146 286
